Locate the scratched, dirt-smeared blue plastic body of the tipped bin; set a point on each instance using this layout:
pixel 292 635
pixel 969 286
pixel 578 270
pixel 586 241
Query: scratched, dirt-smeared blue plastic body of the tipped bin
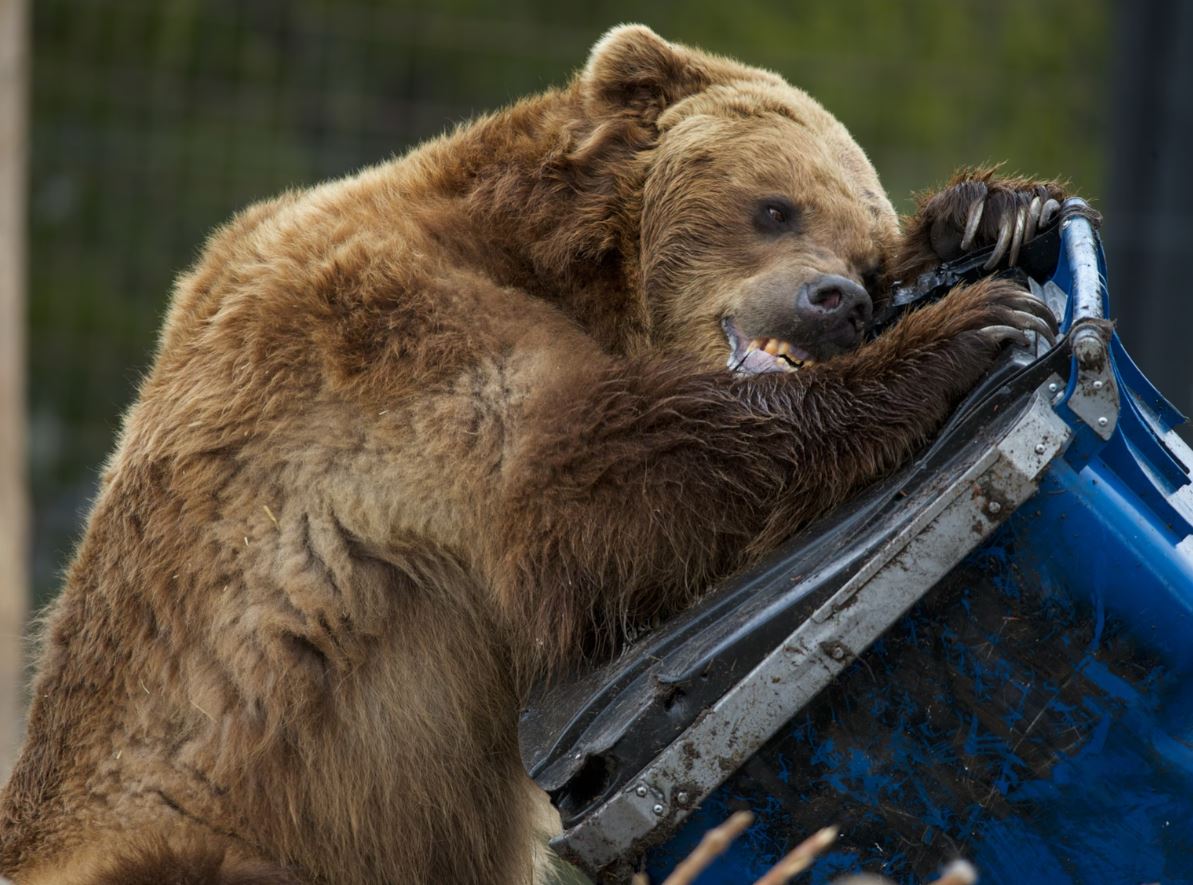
pixel 1099 542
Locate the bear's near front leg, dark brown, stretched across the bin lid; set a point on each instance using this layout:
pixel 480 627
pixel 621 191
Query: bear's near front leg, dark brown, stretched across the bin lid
pixel 631 492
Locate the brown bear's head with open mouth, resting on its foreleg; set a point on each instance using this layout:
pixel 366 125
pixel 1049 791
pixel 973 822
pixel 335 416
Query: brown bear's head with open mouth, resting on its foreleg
pixel 764 233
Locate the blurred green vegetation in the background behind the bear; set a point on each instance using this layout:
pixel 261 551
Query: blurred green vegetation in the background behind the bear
pixel 154 121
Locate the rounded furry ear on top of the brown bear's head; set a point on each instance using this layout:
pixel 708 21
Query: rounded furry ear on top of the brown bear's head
pixel 632 69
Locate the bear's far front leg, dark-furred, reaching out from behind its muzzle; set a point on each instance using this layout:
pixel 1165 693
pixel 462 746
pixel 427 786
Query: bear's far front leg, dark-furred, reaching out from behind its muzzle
pixel 976 211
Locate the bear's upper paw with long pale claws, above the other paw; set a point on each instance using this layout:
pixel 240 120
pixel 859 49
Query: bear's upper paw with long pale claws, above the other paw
pixel 976 213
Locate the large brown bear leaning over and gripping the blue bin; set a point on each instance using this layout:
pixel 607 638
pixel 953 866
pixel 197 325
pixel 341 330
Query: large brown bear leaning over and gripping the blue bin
pixel 418 437
